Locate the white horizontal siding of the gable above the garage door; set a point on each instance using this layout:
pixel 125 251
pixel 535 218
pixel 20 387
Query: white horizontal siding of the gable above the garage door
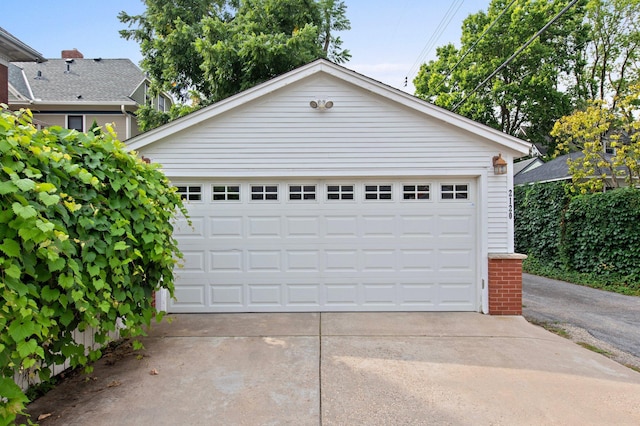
pixel 280 134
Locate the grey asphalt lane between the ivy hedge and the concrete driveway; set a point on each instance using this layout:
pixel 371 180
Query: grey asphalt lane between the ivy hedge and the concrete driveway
pixel 609 317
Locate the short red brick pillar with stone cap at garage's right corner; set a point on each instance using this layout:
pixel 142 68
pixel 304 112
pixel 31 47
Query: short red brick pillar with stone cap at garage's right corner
pixel 505 283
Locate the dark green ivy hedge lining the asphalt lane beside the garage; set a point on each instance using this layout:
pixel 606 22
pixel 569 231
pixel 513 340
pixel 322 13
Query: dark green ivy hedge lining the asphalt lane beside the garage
pixel 592 239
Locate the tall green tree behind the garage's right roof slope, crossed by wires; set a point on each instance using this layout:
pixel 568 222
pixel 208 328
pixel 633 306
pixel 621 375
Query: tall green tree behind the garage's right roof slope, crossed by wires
pixel 526 95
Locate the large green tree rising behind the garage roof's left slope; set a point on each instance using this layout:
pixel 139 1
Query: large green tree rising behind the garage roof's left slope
pixel 207 50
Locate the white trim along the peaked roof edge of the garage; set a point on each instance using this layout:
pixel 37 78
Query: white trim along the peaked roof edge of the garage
pixel 323 66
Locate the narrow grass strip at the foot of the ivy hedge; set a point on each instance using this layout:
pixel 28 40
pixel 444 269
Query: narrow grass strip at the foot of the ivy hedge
pixel 628 285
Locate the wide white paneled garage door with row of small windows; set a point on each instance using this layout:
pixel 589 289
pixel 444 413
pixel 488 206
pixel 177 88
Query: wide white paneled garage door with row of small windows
pixel 335 245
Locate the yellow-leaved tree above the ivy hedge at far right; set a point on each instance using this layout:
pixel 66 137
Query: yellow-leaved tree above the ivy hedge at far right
pixel 597 130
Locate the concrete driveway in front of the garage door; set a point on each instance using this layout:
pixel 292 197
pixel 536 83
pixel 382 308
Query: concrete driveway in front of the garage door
pixel 348 369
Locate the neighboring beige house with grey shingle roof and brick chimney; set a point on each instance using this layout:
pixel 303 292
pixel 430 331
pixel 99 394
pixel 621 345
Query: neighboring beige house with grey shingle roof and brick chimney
pixel 74 92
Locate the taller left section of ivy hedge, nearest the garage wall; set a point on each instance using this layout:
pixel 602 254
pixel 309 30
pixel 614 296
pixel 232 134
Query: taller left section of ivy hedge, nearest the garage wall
pixel 539 209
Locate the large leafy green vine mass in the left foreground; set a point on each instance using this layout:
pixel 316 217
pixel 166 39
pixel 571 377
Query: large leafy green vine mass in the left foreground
pixel 85 239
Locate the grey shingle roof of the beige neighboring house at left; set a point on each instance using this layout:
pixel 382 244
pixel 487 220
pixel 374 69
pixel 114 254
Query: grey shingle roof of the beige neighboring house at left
pixel 76 80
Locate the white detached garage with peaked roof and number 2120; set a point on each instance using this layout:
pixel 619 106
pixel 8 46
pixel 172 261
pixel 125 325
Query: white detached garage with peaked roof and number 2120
pixel 324 190
